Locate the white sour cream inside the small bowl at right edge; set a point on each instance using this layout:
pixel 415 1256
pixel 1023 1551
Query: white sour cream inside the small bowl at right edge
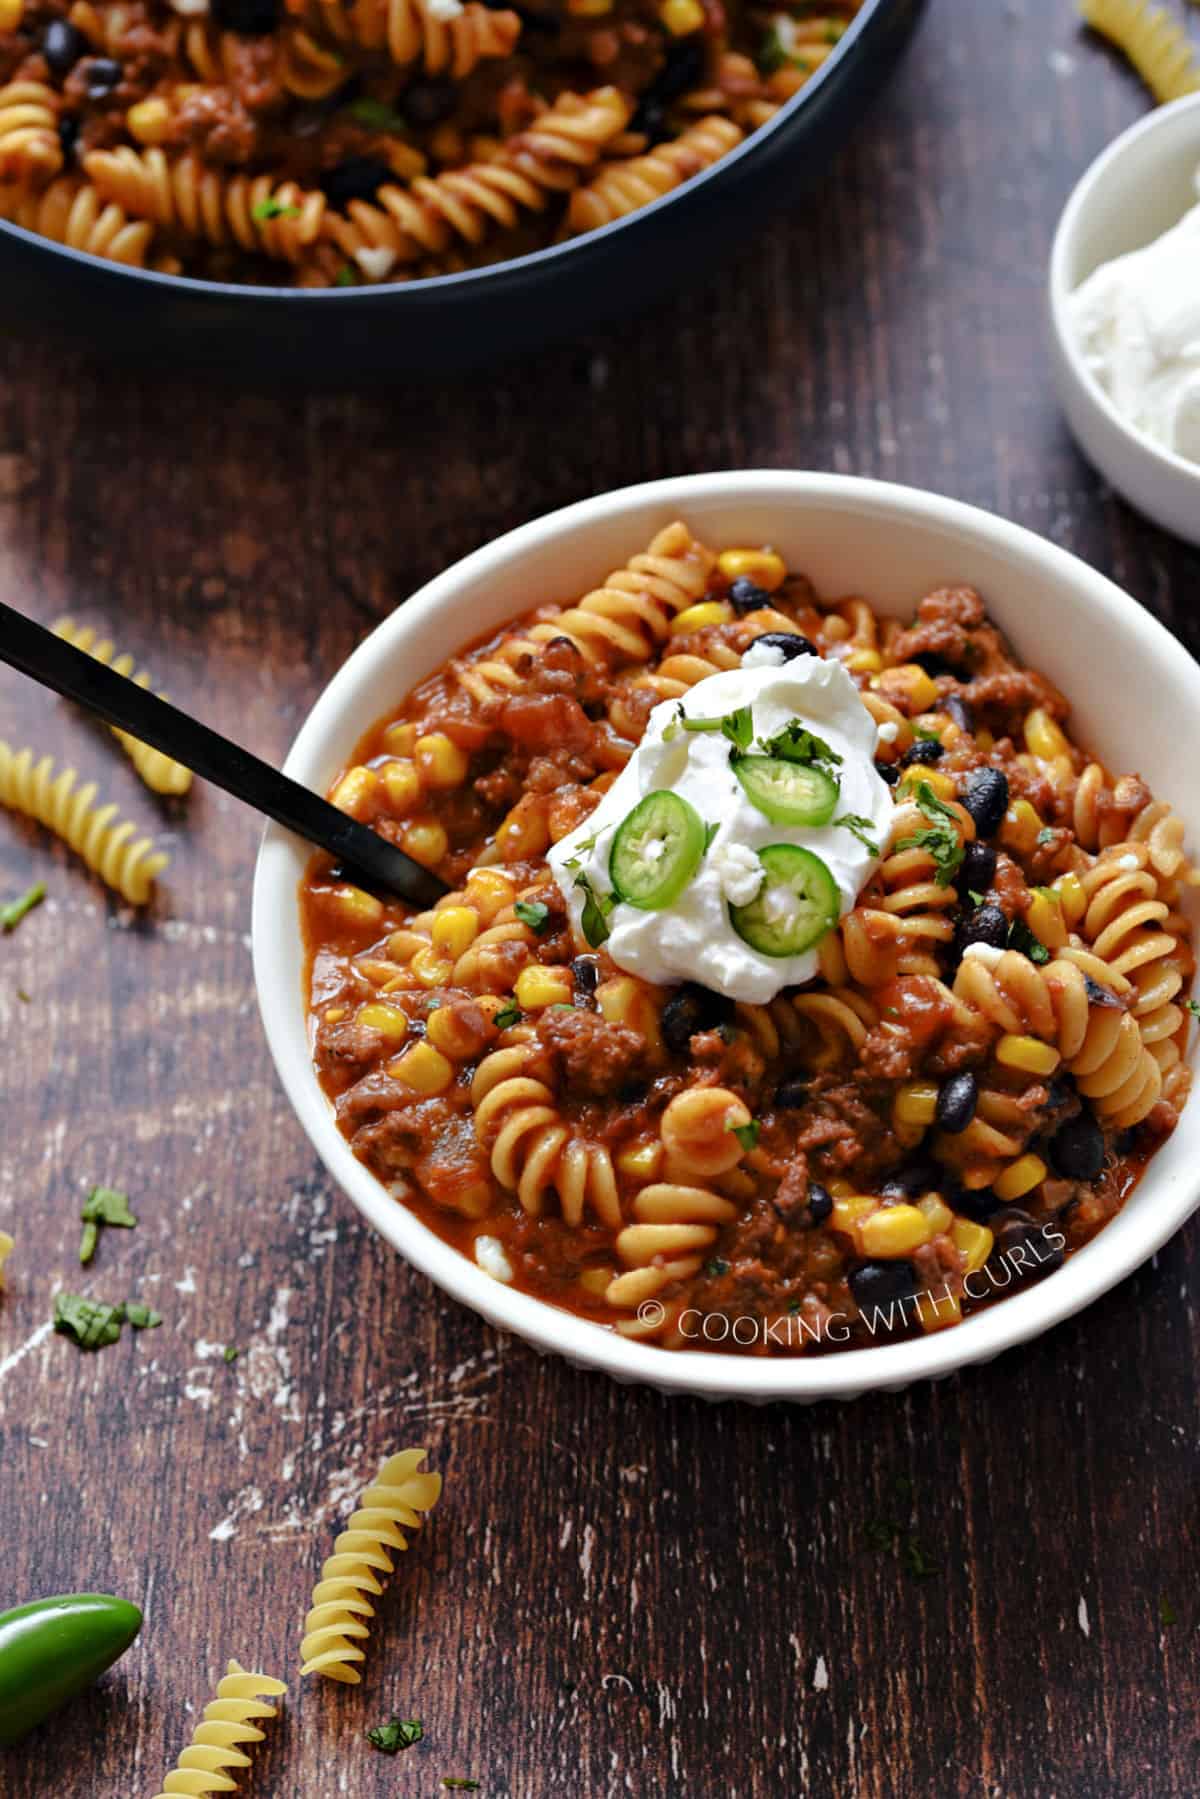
pixel 1138 323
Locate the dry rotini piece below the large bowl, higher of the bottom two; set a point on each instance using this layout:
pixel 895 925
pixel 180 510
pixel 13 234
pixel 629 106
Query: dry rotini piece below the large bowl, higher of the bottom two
pixel 336 1622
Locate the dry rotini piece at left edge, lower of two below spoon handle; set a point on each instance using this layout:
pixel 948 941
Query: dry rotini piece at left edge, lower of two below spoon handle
pixel 125 863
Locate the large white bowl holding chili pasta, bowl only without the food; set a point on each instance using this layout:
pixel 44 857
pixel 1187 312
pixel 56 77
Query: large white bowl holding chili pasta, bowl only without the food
pixel 891 544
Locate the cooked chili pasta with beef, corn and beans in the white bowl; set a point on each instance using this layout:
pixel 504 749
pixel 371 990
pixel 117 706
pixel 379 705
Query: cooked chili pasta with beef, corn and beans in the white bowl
pixel 990 1046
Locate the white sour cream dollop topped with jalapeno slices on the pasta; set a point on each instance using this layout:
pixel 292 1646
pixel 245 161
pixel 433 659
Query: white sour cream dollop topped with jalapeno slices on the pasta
pixel 694 938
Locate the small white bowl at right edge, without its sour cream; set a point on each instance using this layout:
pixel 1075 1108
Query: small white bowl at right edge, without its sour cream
pixel 1134 192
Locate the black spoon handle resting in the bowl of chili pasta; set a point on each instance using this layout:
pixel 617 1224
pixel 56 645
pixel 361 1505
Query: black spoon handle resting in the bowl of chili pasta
pixel 121 703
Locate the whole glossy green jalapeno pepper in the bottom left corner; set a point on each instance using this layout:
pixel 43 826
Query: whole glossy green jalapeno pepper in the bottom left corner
pixel 55 1649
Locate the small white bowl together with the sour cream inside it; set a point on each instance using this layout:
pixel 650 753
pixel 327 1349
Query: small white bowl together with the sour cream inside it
pixel 1125 316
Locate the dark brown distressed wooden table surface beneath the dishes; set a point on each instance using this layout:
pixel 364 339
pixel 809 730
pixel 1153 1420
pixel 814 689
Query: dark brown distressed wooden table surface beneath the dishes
pixel 620 1595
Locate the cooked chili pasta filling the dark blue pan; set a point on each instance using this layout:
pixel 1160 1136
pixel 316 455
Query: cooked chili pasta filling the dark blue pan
pixel 330 145
